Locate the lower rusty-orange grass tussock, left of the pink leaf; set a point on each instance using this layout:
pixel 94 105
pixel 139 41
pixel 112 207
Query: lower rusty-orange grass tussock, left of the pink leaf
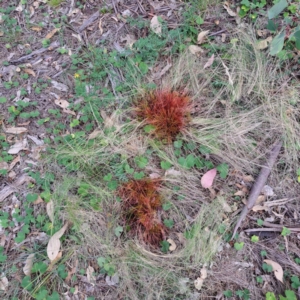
pixel 141 202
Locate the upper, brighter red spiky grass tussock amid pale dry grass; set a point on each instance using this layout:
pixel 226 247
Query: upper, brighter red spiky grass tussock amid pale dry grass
pixel 167 111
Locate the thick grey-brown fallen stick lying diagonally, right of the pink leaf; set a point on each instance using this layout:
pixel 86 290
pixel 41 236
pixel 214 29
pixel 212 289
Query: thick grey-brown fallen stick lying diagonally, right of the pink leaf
pixel 258 185
